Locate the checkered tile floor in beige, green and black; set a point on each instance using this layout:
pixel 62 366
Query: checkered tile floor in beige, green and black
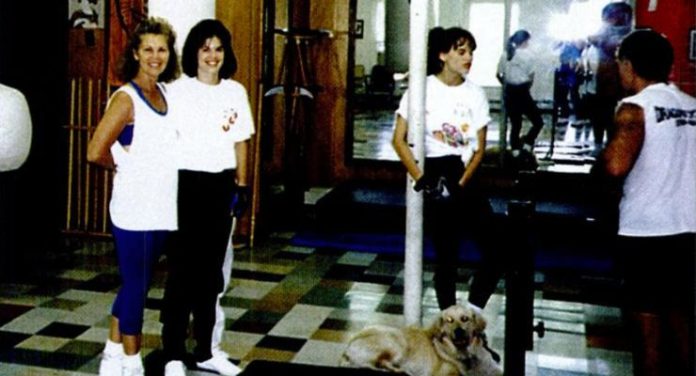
pixel 289 304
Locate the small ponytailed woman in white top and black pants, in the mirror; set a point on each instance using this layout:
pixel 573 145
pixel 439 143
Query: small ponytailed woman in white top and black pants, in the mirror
pixel 516 73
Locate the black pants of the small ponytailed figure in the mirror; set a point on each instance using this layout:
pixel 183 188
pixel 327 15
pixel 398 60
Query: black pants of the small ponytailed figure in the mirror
pixel 518 102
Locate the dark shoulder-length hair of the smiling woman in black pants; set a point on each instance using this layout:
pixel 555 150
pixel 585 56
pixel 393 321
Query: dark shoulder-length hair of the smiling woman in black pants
pixel 196 39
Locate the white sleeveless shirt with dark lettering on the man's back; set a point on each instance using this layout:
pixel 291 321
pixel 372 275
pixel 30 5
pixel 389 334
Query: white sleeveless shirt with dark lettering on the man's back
pixel 659 195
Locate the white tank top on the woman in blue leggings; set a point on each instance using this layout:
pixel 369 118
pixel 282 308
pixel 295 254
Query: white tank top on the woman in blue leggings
pixel 145 184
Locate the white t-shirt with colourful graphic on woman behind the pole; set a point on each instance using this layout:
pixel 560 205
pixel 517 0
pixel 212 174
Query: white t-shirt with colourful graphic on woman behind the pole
pixel 453 117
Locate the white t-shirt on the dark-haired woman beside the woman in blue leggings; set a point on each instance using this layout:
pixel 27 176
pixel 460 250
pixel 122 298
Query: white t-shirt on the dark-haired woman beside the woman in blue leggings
pixel 210 119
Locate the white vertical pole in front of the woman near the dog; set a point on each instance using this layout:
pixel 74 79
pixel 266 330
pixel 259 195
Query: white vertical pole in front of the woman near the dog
pixel 413 266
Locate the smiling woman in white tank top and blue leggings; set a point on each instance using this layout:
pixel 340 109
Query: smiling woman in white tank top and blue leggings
pixel 135 137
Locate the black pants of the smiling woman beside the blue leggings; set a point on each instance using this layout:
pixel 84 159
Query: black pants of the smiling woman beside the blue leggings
pixel 195 259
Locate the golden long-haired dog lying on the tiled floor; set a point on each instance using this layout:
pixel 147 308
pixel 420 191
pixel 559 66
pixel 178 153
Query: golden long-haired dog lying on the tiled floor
pixel 455 344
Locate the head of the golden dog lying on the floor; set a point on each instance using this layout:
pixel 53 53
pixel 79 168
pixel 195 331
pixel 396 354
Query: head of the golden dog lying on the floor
pixel 460 326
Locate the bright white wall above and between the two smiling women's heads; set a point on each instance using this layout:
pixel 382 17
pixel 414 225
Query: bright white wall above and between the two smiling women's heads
pixel 182 15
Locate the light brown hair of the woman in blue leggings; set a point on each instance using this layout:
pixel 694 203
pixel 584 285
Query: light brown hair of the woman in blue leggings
pixel 157 26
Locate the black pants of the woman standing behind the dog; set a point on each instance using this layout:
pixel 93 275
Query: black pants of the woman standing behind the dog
pixel 466 212
